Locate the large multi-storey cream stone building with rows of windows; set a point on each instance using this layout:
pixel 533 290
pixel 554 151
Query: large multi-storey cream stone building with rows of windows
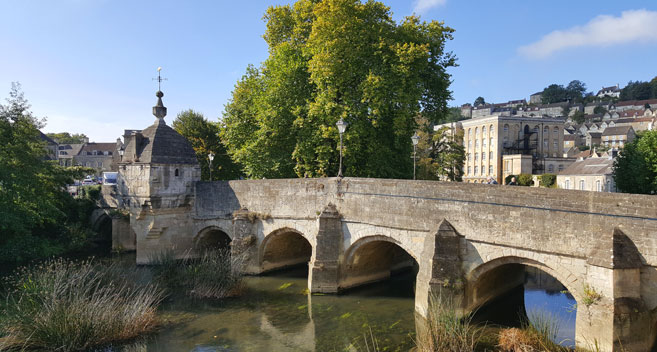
pixel 489 140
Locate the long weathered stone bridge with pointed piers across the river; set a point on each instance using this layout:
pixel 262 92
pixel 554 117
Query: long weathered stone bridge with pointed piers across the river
pixel 469 242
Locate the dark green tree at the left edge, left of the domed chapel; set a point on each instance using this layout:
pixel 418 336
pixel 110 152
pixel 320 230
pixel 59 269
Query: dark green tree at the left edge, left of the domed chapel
pixel 38 215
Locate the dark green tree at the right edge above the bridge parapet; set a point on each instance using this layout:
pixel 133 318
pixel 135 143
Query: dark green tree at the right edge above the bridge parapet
pixel 635 169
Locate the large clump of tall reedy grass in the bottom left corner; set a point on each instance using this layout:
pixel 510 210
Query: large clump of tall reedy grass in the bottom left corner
pixel 73 306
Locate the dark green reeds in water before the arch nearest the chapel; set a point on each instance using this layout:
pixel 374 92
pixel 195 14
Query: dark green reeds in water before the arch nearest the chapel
pixel 215 274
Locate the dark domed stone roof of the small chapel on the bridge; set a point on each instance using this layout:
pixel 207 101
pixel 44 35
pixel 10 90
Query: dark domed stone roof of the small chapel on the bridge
pixel 159 144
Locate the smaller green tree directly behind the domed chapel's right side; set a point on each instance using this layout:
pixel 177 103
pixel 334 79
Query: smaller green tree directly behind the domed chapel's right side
pixel 204 138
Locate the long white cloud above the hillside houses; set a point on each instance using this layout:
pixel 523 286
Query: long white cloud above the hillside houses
pixel 602 31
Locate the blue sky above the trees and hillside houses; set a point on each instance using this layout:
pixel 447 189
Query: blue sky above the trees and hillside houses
pixel 87 65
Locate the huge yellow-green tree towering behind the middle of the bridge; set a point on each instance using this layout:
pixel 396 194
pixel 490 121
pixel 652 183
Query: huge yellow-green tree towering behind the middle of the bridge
pixel 337 59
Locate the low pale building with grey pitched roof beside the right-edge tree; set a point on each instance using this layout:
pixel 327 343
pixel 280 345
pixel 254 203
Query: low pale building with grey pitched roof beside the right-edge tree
pixel 592 174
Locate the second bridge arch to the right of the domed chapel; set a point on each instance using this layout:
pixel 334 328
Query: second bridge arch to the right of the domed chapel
pixel 284 247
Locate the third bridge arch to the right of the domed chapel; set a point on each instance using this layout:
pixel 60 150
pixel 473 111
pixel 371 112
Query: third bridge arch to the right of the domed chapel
pixel 374 258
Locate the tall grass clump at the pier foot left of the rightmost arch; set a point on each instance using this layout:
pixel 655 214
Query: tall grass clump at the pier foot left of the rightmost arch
pixel 446 330
